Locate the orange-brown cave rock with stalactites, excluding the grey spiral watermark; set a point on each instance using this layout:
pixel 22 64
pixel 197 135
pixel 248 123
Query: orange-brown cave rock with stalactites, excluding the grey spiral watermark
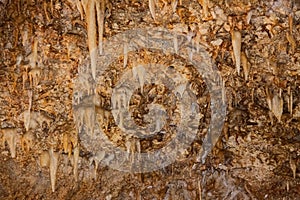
pixel 46 50
